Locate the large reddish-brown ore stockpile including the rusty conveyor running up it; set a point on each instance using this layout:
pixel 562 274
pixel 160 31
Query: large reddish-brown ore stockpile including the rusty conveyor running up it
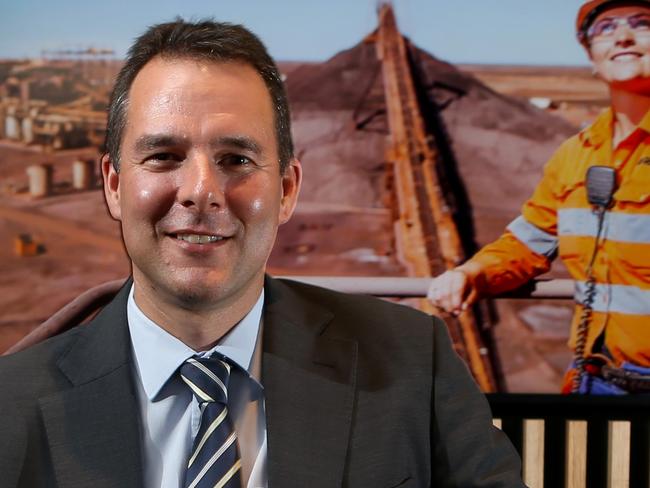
pixel 410 164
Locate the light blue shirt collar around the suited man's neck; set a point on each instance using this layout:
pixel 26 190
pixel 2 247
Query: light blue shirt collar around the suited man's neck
pixel 158 354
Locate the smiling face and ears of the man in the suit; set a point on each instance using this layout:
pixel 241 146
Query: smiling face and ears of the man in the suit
pixel 199 193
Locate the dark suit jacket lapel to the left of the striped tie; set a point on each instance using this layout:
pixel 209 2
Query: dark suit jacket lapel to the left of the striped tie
pixel 93 428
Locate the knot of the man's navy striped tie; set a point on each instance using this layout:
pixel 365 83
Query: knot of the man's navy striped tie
pixel 207 378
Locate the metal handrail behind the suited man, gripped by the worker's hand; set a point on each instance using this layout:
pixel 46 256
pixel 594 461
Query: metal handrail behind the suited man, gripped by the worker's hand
pixel 91 300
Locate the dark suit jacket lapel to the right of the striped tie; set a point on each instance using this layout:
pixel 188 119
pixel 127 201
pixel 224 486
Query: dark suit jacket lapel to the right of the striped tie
pixel 309 381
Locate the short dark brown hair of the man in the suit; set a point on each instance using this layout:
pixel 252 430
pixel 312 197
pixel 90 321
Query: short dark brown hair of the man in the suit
pixel 203 40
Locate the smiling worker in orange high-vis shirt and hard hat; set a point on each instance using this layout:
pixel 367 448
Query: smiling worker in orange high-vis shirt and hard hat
pixel 592 207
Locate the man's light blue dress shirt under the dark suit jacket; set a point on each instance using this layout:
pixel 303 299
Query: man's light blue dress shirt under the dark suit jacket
pixel 170 412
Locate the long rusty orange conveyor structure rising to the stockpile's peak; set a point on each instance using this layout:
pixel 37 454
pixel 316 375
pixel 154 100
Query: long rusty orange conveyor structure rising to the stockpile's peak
pixel 427 238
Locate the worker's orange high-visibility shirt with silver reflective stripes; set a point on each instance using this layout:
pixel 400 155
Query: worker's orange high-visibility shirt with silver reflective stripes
pixel 559 219
